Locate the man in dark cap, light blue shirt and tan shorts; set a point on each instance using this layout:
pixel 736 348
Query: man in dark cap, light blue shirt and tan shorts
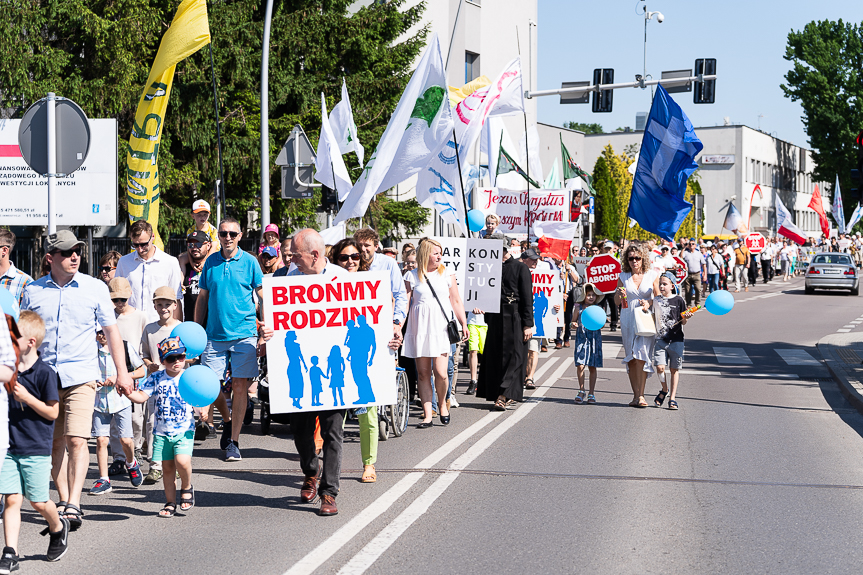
pixel 74 306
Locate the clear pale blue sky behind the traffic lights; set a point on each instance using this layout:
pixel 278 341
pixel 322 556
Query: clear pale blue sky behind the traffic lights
pixel 748 40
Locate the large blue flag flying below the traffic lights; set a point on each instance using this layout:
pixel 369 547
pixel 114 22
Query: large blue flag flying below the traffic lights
pixel 665 162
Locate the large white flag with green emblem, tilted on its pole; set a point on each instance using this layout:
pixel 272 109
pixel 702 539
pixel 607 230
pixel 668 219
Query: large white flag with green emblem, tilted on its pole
pixel 419 128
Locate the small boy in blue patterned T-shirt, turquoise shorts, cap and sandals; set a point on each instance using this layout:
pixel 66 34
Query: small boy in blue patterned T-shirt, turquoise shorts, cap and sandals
pixel 174 431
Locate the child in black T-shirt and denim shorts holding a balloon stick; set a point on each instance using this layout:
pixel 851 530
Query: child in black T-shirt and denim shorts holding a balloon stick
pixel 671 315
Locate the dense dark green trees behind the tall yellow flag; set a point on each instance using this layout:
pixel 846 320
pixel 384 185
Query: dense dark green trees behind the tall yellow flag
pixel 99 54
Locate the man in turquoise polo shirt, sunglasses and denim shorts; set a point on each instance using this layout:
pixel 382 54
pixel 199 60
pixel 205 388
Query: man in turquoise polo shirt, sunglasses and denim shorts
pixel 226 309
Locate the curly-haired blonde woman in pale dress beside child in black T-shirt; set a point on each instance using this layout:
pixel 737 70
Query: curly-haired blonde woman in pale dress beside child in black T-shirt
pixel 636 287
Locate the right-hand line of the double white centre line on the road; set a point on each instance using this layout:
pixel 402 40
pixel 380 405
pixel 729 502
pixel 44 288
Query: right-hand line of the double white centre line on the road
pixel 390 534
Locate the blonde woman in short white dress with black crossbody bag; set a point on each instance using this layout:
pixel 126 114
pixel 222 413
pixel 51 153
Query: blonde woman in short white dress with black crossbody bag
pixel 425 335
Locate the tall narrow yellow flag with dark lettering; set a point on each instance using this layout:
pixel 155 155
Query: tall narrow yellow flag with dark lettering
pixel 189 32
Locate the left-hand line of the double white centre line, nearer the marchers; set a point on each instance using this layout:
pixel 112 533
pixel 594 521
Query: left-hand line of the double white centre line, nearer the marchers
pixel 320 554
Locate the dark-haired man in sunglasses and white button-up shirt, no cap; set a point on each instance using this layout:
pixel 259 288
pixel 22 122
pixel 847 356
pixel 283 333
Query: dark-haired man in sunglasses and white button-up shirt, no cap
pixel 148 268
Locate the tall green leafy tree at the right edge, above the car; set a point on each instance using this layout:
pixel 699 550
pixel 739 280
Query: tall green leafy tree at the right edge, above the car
pixel 826 78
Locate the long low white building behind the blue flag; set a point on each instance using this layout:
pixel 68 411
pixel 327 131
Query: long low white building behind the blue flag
pixel 733 161
